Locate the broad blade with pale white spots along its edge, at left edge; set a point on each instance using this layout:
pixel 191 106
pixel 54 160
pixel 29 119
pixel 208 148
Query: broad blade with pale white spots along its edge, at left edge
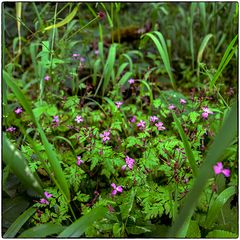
pixel 13 158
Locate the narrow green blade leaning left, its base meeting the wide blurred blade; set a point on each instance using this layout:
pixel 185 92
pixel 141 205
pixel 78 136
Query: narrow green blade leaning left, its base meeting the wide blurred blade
pixel 186 144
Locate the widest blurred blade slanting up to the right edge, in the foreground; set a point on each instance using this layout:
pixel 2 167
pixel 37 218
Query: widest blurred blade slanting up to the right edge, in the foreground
pixel 224 137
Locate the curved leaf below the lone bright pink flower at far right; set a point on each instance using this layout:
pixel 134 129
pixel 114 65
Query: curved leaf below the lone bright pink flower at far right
pixel 218 204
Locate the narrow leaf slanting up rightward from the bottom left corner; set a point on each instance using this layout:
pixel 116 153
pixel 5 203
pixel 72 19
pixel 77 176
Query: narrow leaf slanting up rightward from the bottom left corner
pixel 18 223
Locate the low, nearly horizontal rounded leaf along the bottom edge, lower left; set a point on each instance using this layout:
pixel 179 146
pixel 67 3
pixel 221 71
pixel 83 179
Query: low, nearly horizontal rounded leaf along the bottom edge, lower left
pixel 41 231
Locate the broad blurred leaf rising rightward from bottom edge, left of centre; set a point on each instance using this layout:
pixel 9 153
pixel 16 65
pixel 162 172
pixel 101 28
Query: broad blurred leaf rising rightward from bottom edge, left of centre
pixel 77 228
